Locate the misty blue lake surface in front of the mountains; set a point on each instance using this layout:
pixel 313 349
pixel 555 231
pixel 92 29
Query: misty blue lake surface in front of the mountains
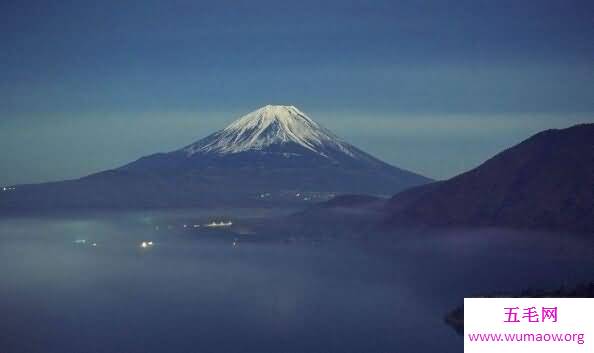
pixel 213 290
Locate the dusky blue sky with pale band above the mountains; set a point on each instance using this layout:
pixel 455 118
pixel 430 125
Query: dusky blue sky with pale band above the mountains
pixel 433 86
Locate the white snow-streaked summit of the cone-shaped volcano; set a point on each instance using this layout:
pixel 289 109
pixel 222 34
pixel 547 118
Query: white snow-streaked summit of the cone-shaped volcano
pixel 268 126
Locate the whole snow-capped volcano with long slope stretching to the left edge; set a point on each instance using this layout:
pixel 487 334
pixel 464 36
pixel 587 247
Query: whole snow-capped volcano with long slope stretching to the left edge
pixel 276 154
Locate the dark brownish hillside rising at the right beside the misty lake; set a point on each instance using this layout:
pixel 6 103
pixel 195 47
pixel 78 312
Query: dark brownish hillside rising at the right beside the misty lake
pixel 547 181
